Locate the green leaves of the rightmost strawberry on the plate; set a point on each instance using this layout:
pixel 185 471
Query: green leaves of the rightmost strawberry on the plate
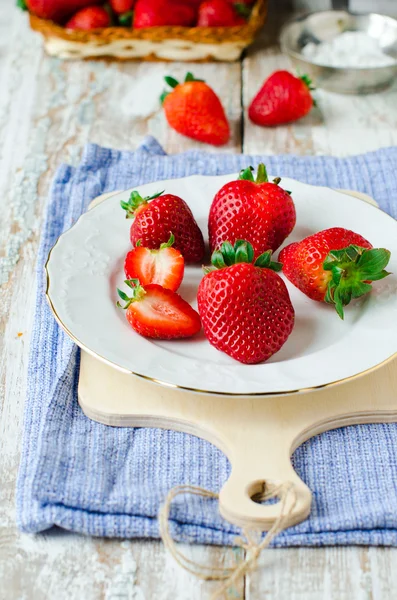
pixel 353 269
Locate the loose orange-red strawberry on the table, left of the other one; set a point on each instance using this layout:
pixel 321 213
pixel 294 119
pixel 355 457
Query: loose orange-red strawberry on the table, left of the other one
pixel 193 109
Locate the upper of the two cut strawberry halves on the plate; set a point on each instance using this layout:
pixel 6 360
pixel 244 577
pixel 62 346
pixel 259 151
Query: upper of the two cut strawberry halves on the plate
pixel 164 266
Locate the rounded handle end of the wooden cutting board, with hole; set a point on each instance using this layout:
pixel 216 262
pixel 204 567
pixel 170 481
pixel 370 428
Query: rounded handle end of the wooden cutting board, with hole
pixel 255 475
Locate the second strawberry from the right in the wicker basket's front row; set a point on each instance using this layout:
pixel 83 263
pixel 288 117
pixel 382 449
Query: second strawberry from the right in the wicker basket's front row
pixel 155 13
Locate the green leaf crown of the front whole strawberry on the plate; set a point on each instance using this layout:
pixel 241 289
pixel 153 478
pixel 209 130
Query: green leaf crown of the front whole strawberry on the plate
pixel 242 252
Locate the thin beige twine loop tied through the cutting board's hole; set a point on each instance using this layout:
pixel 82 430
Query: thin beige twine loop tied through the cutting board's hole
pixel 251 542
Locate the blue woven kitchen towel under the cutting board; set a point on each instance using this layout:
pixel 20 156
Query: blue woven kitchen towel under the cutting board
pixel 110 481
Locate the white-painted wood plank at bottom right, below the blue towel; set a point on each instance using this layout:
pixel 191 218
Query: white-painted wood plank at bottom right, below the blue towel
pixel 340 573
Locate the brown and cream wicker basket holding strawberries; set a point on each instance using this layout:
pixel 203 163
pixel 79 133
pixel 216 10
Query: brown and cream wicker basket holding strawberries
pixel 200 44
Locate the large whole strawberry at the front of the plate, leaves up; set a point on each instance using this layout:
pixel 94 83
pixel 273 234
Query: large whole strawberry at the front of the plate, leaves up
pixel 244 307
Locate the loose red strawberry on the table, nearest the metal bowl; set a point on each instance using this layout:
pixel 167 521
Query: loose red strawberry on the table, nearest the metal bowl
pixel 283 98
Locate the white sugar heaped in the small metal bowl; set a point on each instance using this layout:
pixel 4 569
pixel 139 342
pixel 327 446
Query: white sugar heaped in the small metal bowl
pixel 349 49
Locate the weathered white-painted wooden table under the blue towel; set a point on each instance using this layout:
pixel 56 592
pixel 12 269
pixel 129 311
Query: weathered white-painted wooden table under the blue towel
pixel 48 111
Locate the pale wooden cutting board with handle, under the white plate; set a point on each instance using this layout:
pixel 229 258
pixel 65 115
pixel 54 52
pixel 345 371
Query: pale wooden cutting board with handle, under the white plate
pixel 258 434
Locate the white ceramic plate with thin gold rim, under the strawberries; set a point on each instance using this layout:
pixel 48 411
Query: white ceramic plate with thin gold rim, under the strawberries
pixel 86 266
